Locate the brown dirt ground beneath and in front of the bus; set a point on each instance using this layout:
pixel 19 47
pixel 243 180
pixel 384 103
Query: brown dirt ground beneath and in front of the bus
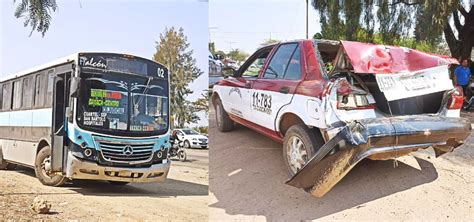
pixel 182 197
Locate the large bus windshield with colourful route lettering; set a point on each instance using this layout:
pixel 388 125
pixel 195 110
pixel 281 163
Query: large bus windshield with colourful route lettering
pixel 122 104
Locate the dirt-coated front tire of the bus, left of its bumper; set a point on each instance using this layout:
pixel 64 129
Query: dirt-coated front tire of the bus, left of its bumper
pixel 56 180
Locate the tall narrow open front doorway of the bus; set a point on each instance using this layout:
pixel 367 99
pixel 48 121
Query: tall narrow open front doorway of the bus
pixel 58 131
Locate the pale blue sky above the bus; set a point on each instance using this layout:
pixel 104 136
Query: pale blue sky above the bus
pixel 130 27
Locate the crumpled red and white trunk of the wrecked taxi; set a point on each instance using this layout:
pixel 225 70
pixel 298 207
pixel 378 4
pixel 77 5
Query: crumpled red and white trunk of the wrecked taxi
pixel 417 81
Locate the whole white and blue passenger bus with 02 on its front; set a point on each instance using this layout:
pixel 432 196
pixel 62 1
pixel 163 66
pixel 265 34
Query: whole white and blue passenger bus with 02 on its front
pixel 98 116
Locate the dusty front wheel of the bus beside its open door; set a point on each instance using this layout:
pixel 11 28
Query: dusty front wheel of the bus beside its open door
pixel 43 169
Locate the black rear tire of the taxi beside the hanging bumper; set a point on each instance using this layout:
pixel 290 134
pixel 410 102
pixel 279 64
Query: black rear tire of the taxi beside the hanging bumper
pixel 311 139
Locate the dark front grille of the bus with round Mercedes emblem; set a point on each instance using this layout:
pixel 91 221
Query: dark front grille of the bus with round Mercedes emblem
pixel 126 153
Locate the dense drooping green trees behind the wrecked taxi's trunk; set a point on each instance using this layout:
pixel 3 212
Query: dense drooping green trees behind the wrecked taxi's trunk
pixel 419 22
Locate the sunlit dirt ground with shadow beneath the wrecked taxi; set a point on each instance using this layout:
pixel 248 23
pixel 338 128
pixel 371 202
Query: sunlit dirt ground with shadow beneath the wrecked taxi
pixel 247 176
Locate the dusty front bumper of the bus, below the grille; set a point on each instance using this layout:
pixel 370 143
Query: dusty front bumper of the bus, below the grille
pixel 80 169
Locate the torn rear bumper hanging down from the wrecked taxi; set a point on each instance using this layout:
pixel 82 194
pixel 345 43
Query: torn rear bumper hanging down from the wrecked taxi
pixel 379 138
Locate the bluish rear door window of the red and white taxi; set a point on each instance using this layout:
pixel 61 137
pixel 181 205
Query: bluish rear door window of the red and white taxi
pixel 281 61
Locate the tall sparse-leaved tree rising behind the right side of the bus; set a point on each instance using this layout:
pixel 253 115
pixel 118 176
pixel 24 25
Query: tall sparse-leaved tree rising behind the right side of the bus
pixel 172 51
